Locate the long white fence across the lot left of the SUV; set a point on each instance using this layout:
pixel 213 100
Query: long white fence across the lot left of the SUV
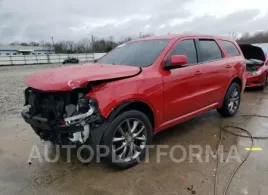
pixel 46 59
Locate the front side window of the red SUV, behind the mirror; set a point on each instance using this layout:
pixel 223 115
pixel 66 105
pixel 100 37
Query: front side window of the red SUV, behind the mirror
pixel 186 47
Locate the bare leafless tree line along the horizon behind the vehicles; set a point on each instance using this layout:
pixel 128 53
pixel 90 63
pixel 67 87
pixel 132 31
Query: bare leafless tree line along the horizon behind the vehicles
pixel 99 45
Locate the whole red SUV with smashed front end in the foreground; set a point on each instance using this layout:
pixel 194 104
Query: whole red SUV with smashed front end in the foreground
pixel 135 91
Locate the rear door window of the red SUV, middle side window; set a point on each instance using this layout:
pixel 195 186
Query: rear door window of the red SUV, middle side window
pixel 209 50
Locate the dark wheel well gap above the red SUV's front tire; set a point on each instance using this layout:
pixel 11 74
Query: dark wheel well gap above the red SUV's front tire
pixel 137 105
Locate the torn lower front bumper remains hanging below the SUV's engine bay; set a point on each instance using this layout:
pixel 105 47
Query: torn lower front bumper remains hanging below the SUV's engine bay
pixel 77 134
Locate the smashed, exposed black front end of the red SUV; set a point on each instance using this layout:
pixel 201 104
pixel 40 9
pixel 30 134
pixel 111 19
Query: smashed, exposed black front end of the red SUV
pixel 66 117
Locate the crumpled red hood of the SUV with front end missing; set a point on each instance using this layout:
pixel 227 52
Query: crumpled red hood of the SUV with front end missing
pixel 70 77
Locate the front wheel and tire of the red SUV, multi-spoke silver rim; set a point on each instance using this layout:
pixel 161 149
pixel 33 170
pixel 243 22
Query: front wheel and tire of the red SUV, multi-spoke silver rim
pixel 126 138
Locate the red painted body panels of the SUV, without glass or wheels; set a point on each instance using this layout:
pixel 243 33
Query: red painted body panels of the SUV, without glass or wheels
pixel 173 95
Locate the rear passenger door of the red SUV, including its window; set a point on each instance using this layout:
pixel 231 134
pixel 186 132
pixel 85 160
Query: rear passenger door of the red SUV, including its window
pixel 210 83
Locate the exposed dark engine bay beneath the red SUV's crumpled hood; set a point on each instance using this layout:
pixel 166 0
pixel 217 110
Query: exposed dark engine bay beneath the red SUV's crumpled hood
pixel 56 105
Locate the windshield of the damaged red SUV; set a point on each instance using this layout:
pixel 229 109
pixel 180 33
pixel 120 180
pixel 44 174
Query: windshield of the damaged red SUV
pixel 140 53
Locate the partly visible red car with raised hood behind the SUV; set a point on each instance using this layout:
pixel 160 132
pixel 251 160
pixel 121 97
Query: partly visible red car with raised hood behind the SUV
pixel 257 66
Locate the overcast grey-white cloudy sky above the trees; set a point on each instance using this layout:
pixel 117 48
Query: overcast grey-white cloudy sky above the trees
pixel 36 20
